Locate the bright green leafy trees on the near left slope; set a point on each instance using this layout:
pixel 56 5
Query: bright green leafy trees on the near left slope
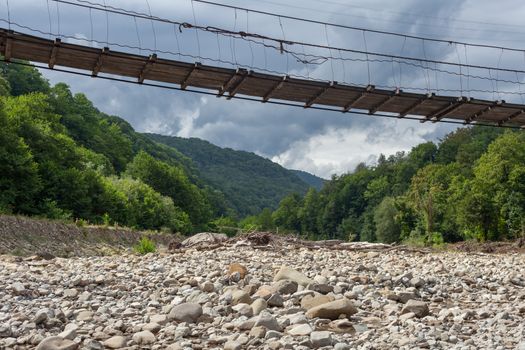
pixel 62 158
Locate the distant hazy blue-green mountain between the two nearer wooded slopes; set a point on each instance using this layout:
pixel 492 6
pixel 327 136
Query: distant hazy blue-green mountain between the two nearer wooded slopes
pixel 249 182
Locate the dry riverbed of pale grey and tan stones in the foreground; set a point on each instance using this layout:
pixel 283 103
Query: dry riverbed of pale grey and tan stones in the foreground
pixel 239 296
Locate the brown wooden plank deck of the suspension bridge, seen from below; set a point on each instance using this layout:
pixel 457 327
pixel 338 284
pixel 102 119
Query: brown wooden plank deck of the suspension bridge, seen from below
pixel 230 82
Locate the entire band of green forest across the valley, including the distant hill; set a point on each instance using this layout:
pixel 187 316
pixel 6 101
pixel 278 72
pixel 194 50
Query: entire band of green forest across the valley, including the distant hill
pixel 62 158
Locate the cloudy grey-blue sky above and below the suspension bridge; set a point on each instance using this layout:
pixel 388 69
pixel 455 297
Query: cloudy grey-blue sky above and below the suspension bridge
pixel 320 142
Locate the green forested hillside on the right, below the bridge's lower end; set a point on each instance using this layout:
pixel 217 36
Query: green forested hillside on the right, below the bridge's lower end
pixel 469 186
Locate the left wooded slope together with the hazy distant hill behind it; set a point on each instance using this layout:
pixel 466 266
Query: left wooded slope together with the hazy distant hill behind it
pixel 60 157
